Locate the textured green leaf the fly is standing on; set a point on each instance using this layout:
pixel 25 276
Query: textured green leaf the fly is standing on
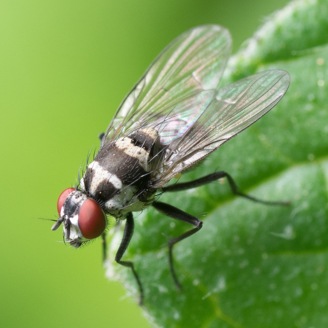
pixel 253 265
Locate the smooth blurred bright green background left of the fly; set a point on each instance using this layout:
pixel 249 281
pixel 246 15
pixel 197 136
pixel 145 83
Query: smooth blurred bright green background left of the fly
pixel 65 66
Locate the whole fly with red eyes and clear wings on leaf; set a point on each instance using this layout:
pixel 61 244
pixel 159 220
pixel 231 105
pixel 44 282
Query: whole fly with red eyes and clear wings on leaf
pixel 174 117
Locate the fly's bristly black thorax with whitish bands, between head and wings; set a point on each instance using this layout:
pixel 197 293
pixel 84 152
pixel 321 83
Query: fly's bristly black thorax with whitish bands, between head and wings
pixel 121 173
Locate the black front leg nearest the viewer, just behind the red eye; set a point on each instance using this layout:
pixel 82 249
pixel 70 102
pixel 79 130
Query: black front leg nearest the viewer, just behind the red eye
pixel 127 235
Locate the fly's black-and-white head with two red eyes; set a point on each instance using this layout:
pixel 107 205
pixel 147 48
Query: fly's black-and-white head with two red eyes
pixel 82 217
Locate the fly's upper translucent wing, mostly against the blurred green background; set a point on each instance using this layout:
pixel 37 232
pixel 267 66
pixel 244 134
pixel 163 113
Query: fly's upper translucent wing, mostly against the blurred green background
pixel 176 88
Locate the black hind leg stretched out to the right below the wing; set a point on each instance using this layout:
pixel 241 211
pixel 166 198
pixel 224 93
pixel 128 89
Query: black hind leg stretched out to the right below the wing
pixel 217 176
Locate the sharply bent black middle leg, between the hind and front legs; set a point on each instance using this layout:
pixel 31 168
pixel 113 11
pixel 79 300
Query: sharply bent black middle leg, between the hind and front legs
pixel 177 214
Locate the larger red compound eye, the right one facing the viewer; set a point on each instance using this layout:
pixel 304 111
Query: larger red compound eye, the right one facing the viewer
pixel 92 220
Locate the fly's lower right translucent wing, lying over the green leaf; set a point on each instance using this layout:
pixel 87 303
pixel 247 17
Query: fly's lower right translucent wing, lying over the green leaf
pixel 234 108
